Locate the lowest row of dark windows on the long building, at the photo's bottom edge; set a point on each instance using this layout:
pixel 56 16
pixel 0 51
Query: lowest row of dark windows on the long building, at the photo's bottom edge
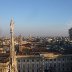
pixel 50 68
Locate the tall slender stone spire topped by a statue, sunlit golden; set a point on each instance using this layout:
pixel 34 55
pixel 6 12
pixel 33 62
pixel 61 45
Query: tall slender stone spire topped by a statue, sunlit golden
pixel 13 62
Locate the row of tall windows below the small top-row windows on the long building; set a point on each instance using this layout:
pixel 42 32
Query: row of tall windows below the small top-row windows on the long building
pixel 58 65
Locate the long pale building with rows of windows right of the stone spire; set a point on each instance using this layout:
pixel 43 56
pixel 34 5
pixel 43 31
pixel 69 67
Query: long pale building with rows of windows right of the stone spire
pixel 46 61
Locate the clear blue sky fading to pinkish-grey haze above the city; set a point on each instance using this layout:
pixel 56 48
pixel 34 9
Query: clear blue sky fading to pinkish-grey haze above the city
pixel 36 17
